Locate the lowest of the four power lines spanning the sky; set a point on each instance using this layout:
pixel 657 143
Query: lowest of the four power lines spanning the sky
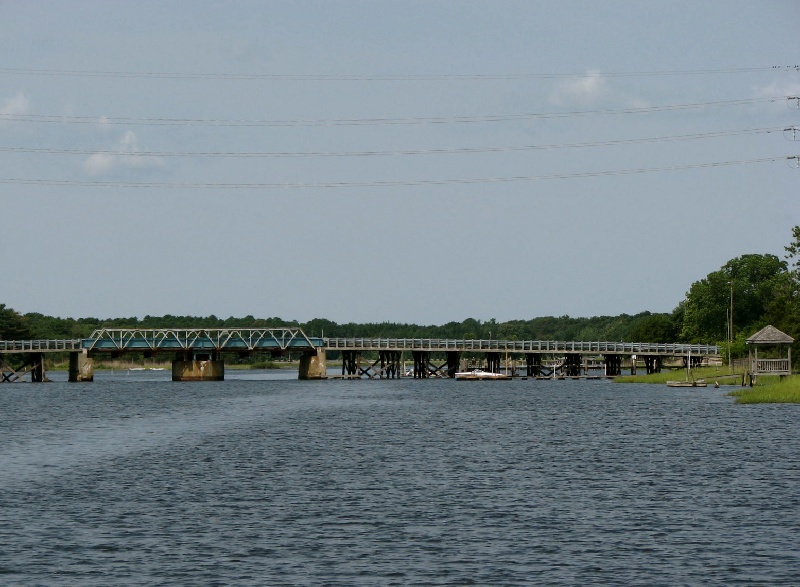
pixel 378 184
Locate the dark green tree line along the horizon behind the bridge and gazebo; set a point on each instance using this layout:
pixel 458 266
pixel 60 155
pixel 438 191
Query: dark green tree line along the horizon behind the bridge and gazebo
pixel 760 288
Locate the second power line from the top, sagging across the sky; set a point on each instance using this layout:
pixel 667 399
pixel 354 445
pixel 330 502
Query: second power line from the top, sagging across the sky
pixel 130 121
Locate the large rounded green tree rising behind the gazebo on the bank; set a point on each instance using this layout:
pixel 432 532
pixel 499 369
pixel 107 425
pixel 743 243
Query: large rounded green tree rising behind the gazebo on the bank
pixel 754 280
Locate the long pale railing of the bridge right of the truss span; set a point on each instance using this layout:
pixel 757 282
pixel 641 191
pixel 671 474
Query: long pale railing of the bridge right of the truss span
pixel 519 346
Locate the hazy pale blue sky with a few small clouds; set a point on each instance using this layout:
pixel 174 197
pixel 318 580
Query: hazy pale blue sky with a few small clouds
pixel 418 161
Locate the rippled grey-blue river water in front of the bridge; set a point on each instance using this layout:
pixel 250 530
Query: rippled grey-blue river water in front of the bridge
pixel 136 480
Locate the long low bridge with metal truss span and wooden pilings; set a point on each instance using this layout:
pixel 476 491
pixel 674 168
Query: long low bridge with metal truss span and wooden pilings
pixel 198 354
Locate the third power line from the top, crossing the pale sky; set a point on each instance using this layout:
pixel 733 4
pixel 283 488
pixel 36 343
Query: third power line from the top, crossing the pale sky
pixel 443 151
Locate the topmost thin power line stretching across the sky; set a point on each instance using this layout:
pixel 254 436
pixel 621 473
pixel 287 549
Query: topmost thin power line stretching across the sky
pixel 380 77
